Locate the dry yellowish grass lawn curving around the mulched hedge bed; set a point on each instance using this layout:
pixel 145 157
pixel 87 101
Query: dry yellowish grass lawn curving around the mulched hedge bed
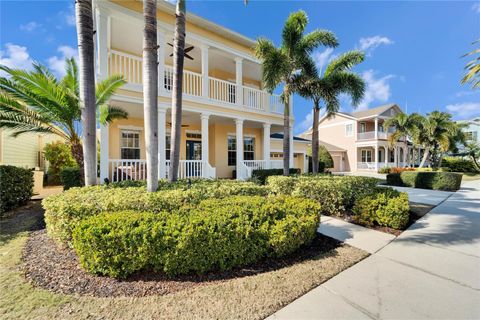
pixel 250 297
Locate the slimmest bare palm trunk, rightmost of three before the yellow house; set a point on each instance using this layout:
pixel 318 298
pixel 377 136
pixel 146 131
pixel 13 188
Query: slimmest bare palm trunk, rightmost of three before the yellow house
pixel 178 59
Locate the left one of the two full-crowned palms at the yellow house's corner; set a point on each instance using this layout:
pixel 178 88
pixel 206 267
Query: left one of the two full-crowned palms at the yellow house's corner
pixel 290 63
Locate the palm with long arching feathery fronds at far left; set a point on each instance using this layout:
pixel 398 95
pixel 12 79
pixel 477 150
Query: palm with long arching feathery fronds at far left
pixel 36 101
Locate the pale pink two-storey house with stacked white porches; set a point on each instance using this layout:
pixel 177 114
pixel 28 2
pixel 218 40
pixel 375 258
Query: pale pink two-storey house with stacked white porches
pixel 357 141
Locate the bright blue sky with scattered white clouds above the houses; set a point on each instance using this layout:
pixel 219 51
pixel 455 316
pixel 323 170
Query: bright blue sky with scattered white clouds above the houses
pixel 413 48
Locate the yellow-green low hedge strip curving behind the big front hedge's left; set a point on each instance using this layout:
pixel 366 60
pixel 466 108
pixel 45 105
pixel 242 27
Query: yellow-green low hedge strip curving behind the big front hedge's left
pixel 64 211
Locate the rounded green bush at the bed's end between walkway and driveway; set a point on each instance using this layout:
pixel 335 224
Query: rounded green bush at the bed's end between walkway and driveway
pixel 385 207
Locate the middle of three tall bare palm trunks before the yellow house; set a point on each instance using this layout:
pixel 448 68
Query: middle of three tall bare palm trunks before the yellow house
pixel 150 91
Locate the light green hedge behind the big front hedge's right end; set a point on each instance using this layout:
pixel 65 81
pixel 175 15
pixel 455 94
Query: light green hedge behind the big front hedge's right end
pixel 334 193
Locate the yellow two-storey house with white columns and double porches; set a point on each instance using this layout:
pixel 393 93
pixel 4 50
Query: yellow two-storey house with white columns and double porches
pixel 223 100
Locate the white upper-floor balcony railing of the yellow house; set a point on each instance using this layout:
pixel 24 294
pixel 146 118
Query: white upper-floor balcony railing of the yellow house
pixel 130 66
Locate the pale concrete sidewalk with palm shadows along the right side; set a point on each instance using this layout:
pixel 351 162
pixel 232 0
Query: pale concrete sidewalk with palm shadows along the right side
pixel 431 271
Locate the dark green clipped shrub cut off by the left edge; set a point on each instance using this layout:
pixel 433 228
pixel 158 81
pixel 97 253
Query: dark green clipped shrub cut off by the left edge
pixel 16 187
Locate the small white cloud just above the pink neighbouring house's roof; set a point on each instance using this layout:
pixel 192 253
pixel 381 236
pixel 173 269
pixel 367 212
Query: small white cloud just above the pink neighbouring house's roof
pixel 377 89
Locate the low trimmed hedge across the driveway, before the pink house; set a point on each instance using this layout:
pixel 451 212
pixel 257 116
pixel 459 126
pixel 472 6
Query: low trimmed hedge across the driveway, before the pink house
pixel 435 180
